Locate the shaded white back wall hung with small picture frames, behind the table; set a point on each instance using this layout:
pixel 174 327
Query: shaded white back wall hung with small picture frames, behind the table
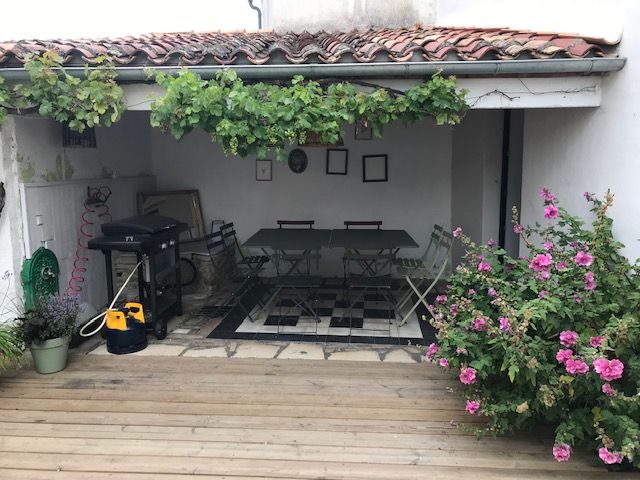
pixel 417 195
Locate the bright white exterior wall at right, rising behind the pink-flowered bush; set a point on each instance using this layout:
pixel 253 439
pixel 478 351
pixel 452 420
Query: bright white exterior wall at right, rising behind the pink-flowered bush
pixel 576 150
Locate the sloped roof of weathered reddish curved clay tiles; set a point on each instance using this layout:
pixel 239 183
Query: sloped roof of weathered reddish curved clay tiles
pixel 417 43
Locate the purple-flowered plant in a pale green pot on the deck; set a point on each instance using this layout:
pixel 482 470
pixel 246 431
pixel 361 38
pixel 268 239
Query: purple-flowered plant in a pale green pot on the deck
pixel 47 331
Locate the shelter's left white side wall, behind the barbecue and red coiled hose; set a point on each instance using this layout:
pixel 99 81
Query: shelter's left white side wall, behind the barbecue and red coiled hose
pixel 31 150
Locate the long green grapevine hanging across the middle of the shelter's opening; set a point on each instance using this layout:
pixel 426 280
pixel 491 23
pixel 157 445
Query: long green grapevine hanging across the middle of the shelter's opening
pixel 263 117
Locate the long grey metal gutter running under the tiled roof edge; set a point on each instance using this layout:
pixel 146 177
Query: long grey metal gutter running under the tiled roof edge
pixel 584 66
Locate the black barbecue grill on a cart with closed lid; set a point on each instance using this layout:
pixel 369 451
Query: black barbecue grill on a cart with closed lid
pixel 154 239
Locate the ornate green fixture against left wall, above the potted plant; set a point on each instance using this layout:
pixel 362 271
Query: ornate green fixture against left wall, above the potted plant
pixel 39 277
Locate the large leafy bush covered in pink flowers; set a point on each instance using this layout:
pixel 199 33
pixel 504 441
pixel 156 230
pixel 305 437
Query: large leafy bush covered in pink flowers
pixel 551 337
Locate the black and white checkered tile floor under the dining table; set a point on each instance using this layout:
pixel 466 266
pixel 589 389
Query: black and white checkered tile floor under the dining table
pixel 371 319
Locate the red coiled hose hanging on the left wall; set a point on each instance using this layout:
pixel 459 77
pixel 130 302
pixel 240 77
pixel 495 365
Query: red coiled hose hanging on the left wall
pixel 95 209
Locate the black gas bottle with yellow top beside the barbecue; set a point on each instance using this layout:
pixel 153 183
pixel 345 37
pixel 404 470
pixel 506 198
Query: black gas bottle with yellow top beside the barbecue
pixel 125 328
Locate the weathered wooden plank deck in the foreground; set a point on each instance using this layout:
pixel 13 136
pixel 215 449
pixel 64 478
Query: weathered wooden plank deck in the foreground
pixel 147 418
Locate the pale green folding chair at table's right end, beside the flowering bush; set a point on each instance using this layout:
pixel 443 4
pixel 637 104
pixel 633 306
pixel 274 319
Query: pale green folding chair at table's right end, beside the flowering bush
pixel 430 268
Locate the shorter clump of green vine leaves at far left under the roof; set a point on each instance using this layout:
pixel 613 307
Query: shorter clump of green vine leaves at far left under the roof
pixel 92 101
